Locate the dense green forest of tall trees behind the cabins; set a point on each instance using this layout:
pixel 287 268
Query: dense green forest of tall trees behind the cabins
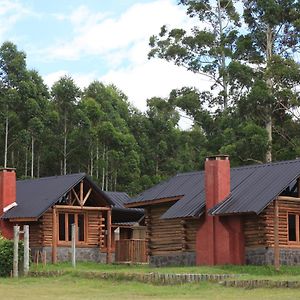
pixel 250 111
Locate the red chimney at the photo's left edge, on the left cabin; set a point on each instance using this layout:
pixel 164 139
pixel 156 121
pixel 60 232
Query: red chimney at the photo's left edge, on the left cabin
pixel 7 198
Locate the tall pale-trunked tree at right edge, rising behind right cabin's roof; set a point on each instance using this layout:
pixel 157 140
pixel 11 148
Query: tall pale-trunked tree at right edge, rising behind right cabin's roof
pixel 269 46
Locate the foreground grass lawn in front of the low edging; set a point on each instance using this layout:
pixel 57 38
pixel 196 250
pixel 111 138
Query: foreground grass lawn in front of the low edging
pixel 72 287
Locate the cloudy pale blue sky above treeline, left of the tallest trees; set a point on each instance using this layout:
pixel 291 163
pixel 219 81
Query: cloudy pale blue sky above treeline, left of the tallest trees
pixel 105 40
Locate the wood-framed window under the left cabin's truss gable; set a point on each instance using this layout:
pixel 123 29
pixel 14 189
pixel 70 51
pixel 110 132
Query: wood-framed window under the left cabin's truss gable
pixel 65 221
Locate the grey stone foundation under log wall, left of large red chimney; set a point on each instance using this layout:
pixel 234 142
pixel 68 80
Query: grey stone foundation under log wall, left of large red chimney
pixel 180 259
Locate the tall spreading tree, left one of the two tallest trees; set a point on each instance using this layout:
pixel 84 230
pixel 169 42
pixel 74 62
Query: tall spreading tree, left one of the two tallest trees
pixel 206 49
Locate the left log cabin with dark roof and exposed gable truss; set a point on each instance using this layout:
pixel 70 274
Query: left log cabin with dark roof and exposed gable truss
pixel 51 205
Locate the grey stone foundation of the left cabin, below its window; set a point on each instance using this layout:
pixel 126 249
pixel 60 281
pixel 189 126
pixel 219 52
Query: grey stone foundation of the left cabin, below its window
pixel 82 254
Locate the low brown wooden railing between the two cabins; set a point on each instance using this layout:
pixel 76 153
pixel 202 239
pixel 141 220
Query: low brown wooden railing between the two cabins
pixel 133 251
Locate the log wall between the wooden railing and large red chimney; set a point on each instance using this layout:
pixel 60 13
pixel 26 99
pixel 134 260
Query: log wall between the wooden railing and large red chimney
pixel 172 236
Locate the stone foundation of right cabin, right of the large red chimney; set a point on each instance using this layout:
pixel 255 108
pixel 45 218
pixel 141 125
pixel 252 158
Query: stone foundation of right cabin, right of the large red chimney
pixel 265 256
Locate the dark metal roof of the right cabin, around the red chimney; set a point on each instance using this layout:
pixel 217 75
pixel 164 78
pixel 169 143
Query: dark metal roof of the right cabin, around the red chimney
pixel 252 189
